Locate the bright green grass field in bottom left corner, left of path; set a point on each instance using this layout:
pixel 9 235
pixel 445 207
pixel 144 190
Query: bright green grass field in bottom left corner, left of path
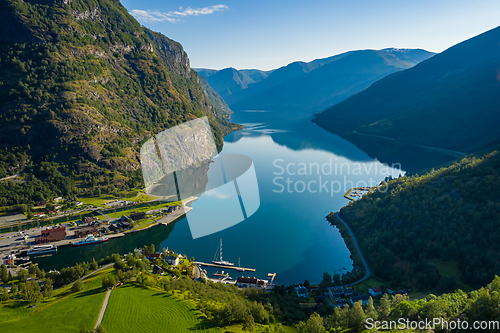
pixel 64 312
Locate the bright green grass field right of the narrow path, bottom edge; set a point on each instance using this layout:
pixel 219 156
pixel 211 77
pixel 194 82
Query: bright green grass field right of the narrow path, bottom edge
pixel 136 309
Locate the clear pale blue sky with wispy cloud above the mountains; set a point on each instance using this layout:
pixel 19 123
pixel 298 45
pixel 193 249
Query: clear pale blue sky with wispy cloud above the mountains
pixel 269 34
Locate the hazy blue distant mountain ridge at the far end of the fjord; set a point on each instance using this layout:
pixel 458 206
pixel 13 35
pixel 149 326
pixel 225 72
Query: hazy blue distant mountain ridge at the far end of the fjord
pixel 311 86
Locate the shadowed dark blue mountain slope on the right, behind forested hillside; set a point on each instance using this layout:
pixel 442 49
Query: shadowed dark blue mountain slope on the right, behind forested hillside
pixel 450 101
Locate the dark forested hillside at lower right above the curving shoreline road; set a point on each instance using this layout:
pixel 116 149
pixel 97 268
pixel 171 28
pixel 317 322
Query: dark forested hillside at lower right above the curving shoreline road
pixel 415 229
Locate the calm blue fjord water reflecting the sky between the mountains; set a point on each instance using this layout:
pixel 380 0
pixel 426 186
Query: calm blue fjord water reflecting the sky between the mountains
pixel 288 234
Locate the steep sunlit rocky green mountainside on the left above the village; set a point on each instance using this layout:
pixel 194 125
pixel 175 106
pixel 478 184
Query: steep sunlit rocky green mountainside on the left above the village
pixel 82 86
